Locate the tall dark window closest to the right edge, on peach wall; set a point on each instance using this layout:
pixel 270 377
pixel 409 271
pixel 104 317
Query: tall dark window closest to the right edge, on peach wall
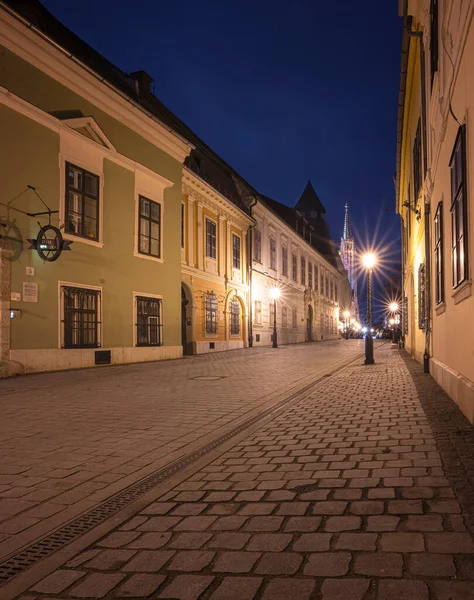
pixel 459 209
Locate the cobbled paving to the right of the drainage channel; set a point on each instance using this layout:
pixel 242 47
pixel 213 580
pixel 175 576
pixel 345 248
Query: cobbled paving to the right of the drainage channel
pixel 359 489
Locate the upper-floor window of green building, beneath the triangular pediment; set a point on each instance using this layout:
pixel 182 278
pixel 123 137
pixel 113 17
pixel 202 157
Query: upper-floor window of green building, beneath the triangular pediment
pixel 82 203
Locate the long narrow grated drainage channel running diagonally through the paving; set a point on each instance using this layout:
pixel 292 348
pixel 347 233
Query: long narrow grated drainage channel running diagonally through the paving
pixel 26 558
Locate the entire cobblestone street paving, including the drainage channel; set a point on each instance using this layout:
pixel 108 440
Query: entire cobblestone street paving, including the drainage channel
pixel 301 474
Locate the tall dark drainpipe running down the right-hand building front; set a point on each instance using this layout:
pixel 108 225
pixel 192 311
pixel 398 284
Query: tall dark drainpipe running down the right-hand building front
pixel 426 205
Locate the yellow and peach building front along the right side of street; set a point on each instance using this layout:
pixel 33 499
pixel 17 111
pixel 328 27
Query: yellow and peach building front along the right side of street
pixel 435 193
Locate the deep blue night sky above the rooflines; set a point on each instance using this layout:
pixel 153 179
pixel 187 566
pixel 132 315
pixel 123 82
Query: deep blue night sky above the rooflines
pixel 284 92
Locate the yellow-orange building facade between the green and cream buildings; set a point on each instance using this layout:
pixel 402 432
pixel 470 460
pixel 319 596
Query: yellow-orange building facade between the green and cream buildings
pixel 214 268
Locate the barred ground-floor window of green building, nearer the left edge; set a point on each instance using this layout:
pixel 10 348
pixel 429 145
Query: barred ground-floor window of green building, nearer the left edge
pixel 81 317
